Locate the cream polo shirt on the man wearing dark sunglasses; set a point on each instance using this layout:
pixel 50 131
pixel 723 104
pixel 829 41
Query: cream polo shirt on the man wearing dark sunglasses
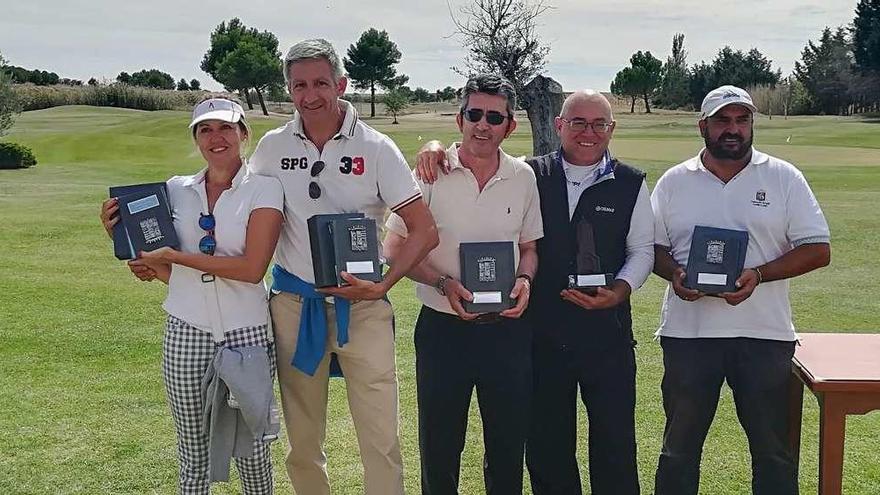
pixel 507 209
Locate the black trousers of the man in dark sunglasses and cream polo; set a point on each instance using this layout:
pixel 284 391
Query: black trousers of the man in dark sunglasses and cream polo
pixel 452 358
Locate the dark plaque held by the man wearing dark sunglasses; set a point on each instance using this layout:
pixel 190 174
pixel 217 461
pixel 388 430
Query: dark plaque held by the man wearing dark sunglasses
pixel 487 271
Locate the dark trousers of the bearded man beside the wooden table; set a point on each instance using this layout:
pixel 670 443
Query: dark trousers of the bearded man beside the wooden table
pixel 757 372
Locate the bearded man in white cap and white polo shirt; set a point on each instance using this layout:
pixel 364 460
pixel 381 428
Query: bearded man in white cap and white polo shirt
pixel 745 337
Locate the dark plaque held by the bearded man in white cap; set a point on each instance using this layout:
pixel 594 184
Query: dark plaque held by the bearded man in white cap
pixel 716 259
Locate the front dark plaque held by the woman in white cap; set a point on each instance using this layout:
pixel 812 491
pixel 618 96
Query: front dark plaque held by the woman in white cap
pixel 146 219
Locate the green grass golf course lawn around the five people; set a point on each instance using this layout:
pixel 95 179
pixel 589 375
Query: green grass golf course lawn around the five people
pixel 82 407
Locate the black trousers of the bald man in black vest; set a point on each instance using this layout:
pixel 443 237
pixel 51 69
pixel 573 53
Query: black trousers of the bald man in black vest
pixel 608 390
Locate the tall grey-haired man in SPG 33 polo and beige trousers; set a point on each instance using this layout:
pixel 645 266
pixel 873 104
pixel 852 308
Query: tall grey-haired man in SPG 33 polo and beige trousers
pixel 329 161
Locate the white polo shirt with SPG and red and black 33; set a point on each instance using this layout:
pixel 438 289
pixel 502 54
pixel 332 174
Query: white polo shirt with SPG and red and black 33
pixel 364 172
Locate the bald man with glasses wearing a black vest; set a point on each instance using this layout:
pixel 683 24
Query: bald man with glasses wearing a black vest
pixel 579 339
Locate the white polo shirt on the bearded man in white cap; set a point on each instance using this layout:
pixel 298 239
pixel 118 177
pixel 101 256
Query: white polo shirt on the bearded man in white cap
pixel 770 199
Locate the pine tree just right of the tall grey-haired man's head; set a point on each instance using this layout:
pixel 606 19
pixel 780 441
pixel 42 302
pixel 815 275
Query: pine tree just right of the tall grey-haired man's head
pixel 370 62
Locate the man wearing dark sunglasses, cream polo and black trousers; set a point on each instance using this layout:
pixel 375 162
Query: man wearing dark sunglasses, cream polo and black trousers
pixel 487 196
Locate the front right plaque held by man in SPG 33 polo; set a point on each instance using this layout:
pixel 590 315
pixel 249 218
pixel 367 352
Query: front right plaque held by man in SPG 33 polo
pixel 356 248
